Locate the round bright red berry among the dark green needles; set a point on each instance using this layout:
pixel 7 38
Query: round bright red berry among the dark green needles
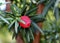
pixel 27 21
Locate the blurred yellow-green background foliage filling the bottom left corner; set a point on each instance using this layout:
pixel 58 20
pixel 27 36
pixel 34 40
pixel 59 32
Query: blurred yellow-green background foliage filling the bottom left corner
pixel 5 35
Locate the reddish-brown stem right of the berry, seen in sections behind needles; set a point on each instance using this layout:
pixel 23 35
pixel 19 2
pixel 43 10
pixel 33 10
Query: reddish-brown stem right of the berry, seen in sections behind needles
pixel 37 36
